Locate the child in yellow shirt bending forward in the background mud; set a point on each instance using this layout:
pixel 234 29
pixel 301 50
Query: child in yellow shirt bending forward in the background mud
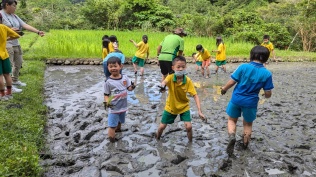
pixel 206 57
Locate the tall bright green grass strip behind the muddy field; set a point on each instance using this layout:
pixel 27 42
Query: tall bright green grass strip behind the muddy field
pixel 88 44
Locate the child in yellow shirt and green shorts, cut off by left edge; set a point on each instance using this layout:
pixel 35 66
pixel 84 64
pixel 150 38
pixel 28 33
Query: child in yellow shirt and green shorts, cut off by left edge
pixel 5 68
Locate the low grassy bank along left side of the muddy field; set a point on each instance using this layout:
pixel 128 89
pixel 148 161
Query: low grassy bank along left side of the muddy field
pixel 22 125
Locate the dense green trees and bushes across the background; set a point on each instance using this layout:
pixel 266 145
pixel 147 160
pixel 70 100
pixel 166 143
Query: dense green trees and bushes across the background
pixel 291 24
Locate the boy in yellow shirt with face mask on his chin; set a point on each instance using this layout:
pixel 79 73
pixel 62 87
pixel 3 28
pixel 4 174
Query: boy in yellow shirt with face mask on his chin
pixel 177 102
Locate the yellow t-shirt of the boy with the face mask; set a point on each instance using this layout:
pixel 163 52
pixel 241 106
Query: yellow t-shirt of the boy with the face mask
pixel 177 101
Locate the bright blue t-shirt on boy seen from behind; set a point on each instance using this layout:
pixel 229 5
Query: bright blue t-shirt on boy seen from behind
pixel 251 78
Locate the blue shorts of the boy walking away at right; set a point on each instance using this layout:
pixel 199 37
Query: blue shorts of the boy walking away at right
pixel 234 111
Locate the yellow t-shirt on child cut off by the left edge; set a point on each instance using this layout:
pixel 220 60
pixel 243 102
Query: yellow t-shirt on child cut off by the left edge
pixel 5 32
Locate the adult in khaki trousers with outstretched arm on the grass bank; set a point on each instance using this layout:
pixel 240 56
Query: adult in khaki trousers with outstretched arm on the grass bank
pixel 11 20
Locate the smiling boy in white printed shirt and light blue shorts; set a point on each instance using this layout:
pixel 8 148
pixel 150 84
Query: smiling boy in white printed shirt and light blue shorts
pixel 115 96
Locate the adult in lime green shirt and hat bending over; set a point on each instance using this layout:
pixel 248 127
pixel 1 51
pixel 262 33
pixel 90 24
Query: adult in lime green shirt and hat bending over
pixel 171 47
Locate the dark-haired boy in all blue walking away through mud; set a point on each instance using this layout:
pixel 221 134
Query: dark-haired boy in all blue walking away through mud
pixel 250 78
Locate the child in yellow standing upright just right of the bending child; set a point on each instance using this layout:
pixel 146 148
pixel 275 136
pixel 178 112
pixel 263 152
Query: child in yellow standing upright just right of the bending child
pixel 220 59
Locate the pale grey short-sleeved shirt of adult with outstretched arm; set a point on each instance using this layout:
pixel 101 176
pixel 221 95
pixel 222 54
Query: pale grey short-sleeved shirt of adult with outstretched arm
pixel 12 20
